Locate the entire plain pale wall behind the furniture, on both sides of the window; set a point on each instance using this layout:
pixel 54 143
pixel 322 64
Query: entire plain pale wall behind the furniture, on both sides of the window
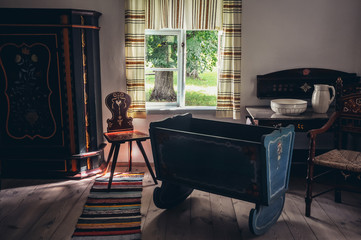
pixel 276 35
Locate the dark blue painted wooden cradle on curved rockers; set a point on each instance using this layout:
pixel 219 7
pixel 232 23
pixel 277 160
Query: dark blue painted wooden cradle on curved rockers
pixel 250 163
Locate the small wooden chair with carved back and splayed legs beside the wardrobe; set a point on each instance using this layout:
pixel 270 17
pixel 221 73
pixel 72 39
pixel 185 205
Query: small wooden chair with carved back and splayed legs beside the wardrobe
pixel 120 130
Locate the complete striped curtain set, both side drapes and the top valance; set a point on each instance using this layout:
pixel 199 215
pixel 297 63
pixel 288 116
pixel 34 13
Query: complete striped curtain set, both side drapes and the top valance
pixel 170 14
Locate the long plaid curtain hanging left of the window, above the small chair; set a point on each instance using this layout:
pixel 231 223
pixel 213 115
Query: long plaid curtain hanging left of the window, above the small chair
pixel 134 56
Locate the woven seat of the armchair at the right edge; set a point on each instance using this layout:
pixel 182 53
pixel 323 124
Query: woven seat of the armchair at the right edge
pixel 341 159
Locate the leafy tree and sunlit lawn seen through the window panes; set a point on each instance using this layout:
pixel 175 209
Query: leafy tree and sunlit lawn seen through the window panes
pixel 201 62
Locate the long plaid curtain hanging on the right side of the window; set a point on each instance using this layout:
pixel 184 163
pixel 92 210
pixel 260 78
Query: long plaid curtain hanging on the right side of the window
pixel 229 79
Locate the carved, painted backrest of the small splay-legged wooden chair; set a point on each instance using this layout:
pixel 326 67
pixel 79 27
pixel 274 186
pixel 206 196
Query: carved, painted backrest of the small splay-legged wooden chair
pixel 118 104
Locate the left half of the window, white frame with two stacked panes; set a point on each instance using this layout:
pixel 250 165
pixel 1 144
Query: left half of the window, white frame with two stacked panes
pixel 163 72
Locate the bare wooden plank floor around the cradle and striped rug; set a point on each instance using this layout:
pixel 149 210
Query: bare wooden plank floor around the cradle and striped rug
pixel 49 209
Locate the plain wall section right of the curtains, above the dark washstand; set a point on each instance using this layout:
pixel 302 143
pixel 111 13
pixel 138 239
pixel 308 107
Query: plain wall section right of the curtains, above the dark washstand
pixel 285 34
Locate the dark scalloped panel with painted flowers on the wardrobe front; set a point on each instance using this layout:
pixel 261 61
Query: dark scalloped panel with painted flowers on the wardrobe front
pixel 28 91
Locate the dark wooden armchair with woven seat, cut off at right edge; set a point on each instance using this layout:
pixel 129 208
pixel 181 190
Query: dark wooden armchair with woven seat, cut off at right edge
pixel 345 159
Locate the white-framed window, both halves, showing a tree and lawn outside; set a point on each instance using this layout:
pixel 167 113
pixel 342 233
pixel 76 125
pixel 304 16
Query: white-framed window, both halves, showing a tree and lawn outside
pixel 181 68
